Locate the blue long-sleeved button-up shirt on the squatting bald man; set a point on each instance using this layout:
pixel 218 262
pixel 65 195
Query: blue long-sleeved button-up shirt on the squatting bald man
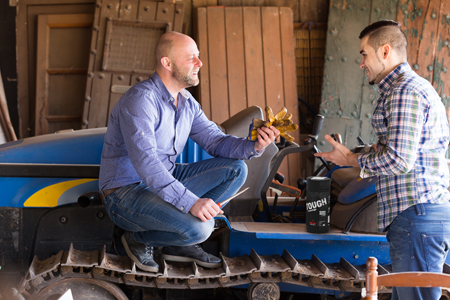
pixel 146 133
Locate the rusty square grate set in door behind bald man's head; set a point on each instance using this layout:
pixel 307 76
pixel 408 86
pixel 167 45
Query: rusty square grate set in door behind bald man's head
pixel 129 46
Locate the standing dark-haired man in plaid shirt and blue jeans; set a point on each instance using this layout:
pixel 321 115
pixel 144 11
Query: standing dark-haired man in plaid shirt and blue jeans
pixel 409 158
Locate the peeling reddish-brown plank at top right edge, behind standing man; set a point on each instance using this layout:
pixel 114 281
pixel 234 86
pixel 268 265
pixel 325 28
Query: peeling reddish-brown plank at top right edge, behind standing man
pixel 441 78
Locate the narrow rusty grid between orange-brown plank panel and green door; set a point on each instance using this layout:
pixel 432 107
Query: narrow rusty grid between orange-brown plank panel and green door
pixel 310 41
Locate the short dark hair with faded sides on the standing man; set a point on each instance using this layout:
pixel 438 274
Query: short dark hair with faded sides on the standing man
pixel 386 32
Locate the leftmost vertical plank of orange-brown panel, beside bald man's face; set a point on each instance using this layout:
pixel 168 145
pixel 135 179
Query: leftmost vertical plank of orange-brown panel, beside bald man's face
pixel 203 90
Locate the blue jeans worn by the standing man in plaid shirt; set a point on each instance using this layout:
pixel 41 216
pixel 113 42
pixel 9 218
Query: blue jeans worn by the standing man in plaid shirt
pixel 419 239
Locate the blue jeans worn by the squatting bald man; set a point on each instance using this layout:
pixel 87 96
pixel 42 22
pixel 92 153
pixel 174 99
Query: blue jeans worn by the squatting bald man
pixel 158 223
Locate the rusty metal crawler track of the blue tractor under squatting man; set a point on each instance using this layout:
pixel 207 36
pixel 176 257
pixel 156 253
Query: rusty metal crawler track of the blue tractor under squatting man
pixel 245 269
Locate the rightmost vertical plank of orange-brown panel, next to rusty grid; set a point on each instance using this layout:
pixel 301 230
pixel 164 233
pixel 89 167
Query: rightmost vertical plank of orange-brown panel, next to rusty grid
pixel 290 86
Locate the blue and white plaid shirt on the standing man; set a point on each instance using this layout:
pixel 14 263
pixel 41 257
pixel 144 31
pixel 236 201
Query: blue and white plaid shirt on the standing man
pixel 413 136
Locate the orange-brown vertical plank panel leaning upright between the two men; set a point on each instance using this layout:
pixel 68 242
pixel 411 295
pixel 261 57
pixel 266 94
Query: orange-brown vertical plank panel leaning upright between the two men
pixel 248 59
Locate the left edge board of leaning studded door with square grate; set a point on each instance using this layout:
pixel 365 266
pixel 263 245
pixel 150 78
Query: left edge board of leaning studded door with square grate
pixel 98 105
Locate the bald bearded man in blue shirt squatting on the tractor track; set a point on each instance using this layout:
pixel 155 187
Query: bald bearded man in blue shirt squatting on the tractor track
pixel 157 202
